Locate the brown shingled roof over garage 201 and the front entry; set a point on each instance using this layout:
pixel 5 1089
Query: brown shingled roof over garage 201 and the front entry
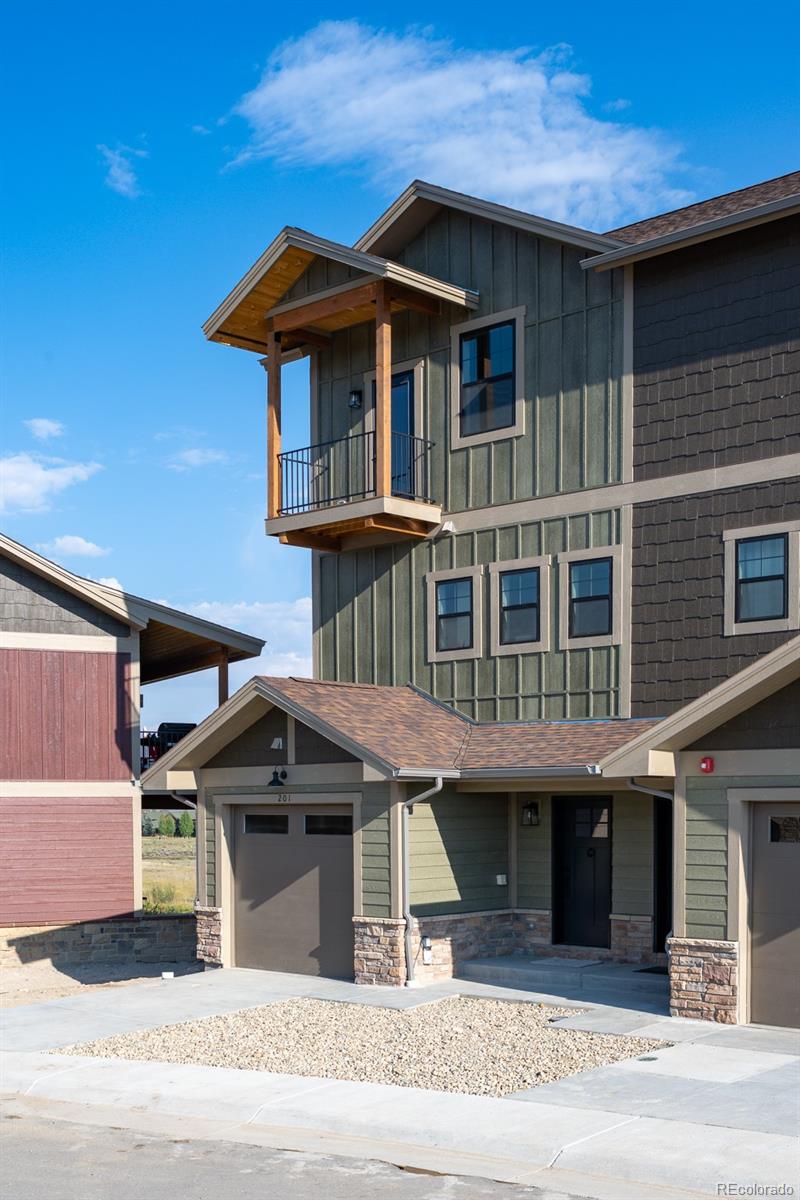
pixel 406 734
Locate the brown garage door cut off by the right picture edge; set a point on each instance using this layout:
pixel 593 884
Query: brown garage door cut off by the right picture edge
pixel 775 916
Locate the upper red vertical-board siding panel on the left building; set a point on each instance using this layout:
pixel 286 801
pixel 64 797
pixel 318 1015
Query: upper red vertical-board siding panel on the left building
pixel 65 715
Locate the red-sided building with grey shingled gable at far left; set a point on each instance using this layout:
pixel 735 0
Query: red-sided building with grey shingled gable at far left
pixel 74 656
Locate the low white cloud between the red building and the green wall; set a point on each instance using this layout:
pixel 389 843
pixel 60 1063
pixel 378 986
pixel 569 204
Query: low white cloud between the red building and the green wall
pixel 285 625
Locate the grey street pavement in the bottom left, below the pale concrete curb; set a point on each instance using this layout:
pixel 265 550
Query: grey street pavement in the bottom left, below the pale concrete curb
pixel 43 1160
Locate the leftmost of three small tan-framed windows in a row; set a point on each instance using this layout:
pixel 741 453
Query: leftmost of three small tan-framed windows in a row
pixel 455 619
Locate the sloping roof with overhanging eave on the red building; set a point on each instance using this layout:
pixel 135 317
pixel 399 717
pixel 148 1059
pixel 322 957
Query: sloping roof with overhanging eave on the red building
pixel 170 639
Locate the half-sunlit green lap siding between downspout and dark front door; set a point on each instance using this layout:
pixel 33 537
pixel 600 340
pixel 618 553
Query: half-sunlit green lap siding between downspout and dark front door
pixel 459 844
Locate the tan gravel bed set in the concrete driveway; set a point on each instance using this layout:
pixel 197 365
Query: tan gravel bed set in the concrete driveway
pixel 459 1045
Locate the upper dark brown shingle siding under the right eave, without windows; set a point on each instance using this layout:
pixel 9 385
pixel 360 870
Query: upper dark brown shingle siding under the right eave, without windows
pixel 717 353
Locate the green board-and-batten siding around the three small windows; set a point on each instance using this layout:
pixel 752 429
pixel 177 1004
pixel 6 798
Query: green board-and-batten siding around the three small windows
pixel 372 625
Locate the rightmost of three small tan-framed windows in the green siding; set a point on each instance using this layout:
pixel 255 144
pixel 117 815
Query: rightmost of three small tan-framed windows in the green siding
pixel 594 595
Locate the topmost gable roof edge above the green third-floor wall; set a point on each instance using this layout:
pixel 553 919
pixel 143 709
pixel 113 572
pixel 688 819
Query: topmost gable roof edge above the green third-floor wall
pixel 420 202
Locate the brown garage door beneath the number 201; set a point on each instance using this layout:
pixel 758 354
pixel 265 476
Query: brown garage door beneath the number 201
pixel 293 890
